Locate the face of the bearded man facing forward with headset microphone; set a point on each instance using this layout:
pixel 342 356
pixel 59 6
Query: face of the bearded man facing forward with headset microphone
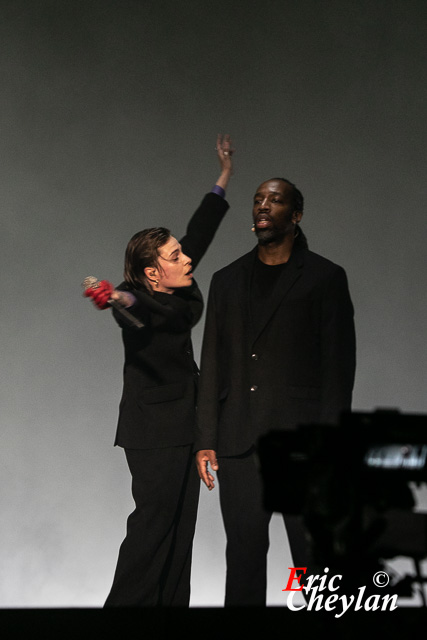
pixel 273 211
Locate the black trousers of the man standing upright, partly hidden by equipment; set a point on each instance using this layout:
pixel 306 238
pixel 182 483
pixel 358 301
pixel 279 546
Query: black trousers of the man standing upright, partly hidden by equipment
pixel 246 525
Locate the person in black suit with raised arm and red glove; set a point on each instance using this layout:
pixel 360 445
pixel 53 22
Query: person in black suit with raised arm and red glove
pixel 157 409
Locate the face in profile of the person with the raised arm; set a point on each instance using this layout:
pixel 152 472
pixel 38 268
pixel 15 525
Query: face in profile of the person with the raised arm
pixel 173 270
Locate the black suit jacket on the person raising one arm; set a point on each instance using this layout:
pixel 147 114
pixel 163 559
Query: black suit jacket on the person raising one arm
pixel 157 408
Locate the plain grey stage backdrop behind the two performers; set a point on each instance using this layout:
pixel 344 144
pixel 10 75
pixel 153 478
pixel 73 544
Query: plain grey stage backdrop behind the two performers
pixel 109 114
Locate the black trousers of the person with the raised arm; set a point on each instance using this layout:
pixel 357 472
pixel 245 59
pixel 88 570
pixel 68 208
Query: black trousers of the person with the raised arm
pixel 154 564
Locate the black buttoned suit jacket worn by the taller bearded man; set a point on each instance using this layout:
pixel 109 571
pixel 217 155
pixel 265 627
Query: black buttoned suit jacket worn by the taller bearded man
pixel 297 368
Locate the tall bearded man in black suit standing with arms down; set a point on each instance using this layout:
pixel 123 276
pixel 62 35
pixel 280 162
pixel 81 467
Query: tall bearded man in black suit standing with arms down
pixel 278 351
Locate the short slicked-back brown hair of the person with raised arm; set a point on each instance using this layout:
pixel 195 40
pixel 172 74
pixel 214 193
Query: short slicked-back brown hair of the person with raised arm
pixel 142 252
